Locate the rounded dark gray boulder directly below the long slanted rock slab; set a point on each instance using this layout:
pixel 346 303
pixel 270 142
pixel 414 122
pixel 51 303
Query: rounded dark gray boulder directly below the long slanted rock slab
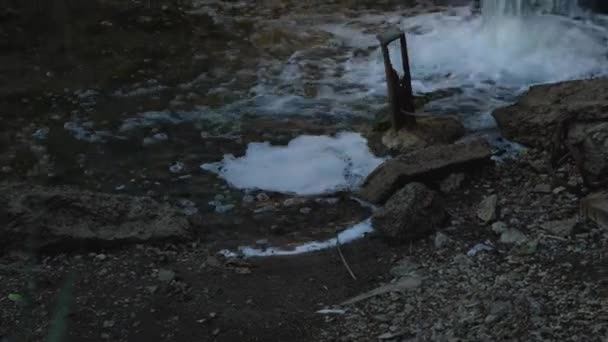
pixel 412 213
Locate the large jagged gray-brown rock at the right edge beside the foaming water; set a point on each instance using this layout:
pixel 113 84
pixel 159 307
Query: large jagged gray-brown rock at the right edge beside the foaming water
pixel 573 115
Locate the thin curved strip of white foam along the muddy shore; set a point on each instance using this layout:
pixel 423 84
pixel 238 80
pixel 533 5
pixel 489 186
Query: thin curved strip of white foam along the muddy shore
pixel 350 234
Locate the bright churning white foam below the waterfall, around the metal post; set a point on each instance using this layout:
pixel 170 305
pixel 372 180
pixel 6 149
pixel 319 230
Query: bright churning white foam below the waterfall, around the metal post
pixel 490 60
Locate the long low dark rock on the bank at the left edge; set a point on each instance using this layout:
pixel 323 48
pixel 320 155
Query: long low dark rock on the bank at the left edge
pixel 63 218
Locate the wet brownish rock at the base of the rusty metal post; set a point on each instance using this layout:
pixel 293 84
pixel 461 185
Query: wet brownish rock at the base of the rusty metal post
pixel 428 131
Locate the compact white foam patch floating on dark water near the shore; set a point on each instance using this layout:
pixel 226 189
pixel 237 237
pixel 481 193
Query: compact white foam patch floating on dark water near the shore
pixel 308 165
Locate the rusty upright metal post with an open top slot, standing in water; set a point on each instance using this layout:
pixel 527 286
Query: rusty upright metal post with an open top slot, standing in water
pixel 400 97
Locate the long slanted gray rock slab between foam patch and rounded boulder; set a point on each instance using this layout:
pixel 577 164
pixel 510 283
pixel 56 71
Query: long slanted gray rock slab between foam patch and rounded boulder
pixel 432 163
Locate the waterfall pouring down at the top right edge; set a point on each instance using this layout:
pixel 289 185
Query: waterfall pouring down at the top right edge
pixel 520 8
